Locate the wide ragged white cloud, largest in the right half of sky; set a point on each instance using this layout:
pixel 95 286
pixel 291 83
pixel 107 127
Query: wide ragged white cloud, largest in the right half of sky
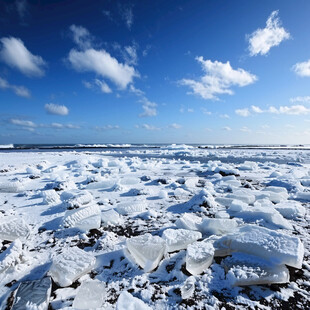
pixel 218 79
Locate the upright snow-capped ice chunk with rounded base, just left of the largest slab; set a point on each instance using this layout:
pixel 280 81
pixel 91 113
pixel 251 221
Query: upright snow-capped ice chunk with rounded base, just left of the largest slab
pixel 199 256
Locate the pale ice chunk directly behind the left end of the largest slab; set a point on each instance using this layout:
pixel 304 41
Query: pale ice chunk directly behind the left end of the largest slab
pixel 217 226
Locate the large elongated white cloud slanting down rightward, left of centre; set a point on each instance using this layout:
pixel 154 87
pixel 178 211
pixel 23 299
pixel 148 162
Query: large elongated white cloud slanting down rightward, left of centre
pixel 102 63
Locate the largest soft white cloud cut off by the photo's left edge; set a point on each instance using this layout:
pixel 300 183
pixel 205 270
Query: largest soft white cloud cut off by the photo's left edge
pixel 16 55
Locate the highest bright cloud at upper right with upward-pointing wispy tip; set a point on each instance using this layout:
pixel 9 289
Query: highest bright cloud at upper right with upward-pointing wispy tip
pixel 262 40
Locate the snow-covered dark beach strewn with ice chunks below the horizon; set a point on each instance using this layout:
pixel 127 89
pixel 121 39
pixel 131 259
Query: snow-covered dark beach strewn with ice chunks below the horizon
pixel 173 227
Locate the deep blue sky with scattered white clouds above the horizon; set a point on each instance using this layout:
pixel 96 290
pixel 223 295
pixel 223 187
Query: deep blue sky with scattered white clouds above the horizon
pixel 208 72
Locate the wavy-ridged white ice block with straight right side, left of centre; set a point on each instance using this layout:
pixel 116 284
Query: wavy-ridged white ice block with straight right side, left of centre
pixel 84 218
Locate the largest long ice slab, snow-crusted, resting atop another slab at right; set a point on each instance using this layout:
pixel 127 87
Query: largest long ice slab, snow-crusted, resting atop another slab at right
pixel 271 245
